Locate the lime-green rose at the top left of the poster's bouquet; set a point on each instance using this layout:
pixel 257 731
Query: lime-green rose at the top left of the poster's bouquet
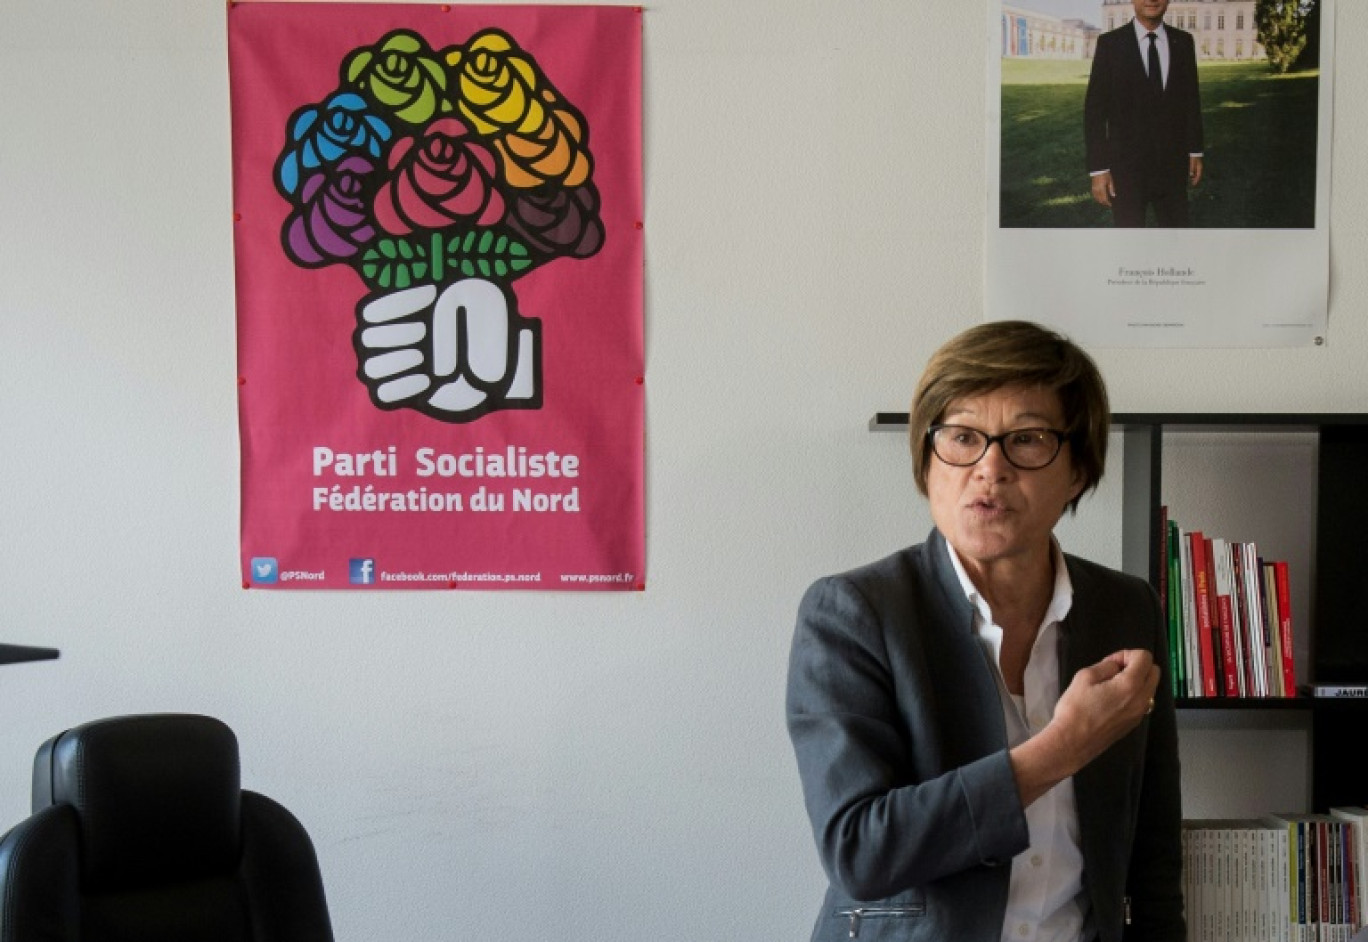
pixel 403 76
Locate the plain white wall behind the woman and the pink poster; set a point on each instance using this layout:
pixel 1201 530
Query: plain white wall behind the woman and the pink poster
pixel 608 768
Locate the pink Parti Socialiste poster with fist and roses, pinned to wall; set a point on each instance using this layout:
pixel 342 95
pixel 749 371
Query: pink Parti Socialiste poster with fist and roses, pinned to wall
pixel 438 247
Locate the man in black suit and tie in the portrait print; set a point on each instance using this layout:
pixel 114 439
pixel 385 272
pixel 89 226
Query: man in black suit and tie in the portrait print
pixel 1143 120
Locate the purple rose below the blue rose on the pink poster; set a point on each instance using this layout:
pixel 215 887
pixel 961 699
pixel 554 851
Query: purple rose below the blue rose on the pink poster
pixel 332 222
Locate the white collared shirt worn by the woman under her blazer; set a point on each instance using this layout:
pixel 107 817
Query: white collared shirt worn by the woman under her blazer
pixel 1046 902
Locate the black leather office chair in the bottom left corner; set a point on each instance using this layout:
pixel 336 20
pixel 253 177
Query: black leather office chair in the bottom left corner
pixel 142 833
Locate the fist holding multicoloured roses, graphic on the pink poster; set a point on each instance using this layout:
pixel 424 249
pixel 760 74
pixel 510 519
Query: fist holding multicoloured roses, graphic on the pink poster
pixel 441 178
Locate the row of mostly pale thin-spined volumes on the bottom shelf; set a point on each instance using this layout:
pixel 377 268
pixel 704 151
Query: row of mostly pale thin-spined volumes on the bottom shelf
pixel 1280 878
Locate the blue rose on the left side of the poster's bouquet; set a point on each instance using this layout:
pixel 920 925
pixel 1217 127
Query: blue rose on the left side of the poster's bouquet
pixel 324 135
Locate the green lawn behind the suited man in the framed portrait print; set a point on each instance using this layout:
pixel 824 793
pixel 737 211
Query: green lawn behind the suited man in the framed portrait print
pixel 1259 170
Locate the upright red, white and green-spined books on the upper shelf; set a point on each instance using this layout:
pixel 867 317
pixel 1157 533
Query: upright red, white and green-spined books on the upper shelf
pixel 1229 617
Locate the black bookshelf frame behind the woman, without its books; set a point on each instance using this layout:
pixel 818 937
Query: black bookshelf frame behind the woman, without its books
pixel 1337 642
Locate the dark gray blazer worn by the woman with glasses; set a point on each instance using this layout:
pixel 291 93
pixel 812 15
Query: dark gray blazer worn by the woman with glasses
pixel 902 749
